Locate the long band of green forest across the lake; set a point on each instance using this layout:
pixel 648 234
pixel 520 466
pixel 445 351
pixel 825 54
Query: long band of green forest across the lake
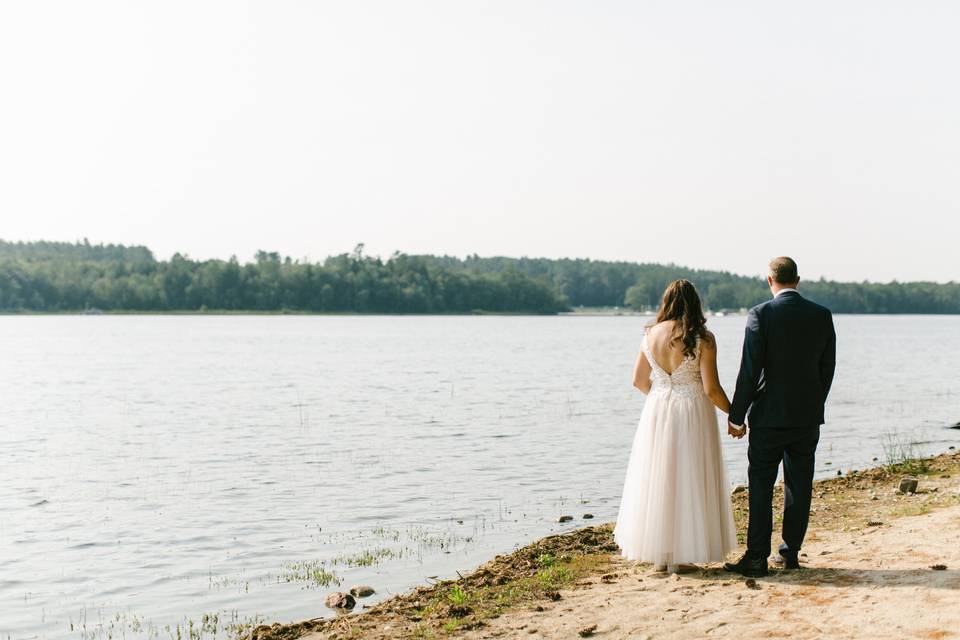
pixel 61 276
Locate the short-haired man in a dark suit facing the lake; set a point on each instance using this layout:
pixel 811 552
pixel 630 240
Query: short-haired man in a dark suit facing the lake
pixel 789 355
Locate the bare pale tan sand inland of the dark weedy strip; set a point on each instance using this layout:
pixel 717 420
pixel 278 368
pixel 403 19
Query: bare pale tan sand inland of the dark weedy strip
pixel 875 582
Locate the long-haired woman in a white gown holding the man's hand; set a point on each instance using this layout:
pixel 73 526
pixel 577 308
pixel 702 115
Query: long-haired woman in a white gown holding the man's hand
pixel 675 510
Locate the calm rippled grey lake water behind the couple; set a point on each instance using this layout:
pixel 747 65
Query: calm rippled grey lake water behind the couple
pixel 156 469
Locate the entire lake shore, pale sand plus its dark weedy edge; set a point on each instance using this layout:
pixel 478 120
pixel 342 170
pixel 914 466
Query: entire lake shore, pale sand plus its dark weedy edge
pixel 879 563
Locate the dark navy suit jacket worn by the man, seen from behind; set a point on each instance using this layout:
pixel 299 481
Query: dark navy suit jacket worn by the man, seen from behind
pixel 789 357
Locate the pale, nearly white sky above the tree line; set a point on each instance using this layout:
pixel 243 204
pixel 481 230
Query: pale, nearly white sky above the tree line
pixel 709 134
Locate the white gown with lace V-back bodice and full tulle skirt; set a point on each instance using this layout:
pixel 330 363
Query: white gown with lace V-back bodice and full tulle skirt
pixel 675 507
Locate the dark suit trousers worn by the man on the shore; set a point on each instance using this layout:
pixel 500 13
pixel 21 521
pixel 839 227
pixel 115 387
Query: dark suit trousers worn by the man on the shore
pixel 797 449
